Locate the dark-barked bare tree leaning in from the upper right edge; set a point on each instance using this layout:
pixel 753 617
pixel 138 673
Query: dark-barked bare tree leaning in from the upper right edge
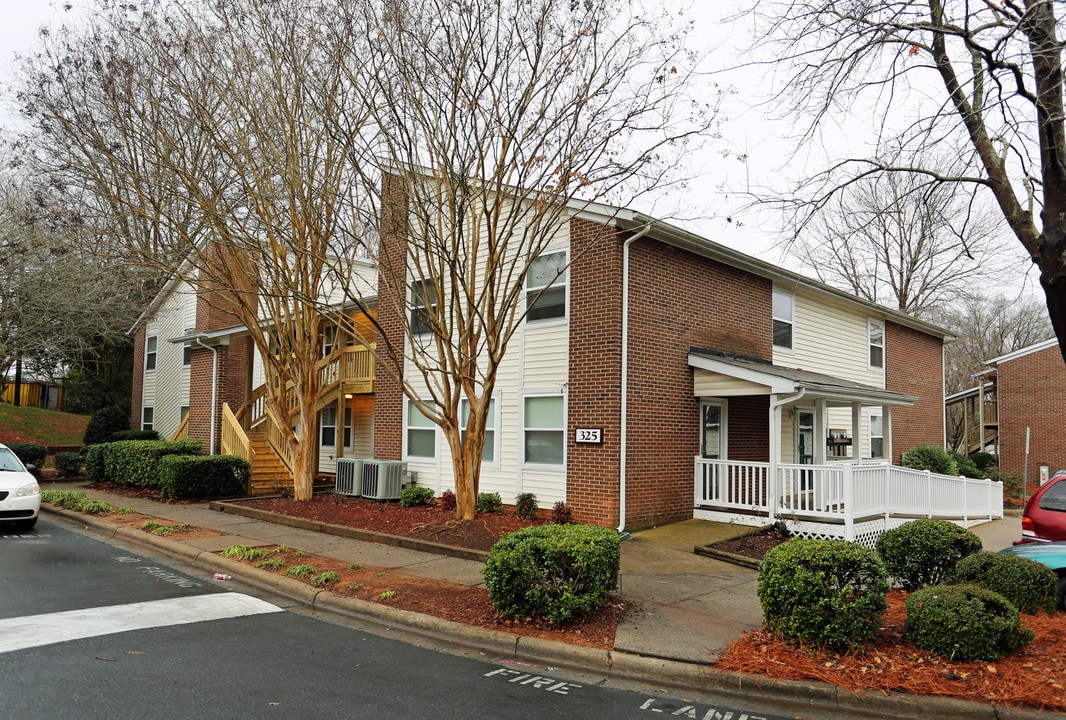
pixel 981 79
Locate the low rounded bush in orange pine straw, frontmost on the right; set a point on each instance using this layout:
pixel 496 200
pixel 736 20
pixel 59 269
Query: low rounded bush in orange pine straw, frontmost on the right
pixel 964 622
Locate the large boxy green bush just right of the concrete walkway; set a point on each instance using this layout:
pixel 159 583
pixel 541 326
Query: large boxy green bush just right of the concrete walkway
pixel 825 593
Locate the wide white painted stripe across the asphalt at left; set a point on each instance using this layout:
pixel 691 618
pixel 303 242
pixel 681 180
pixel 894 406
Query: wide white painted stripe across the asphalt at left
pixel 37 631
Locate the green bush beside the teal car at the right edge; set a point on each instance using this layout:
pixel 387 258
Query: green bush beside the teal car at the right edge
pixel 1027 585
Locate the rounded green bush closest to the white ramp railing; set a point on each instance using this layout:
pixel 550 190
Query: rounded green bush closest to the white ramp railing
pixel 926 552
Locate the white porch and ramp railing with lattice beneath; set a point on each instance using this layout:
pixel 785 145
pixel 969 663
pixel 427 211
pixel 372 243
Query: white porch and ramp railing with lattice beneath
pixel 848 501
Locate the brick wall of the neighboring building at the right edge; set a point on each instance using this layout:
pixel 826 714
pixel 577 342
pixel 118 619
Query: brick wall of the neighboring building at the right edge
pixel 1032 394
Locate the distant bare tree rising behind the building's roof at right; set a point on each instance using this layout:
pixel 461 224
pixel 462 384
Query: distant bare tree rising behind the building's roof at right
pixel 897 242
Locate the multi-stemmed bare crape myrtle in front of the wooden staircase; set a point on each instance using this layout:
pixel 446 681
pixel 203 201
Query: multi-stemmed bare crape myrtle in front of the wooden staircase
pixel 197 134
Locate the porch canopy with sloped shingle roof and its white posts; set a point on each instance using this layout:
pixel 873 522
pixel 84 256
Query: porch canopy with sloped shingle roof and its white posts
pixel 723 376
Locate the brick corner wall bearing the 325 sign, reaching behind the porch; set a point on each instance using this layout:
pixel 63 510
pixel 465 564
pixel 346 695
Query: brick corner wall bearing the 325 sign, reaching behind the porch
pixel 677 300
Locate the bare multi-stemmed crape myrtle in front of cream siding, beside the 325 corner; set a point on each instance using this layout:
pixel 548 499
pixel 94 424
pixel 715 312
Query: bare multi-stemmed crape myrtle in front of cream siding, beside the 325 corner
pixel 495 122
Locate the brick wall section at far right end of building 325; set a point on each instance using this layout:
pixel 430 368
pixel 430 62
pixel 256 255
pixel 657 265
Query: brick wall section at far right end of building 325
pixel 914 365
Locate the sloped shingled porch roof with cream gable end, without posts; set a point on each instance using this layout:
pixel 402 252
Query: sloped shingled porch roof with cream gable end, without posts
pixel 718 375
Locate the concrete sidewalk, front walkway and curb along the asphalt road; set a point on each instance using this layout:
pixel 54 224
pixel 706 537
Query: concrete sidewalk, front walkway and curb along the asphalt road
pixel 690 607
